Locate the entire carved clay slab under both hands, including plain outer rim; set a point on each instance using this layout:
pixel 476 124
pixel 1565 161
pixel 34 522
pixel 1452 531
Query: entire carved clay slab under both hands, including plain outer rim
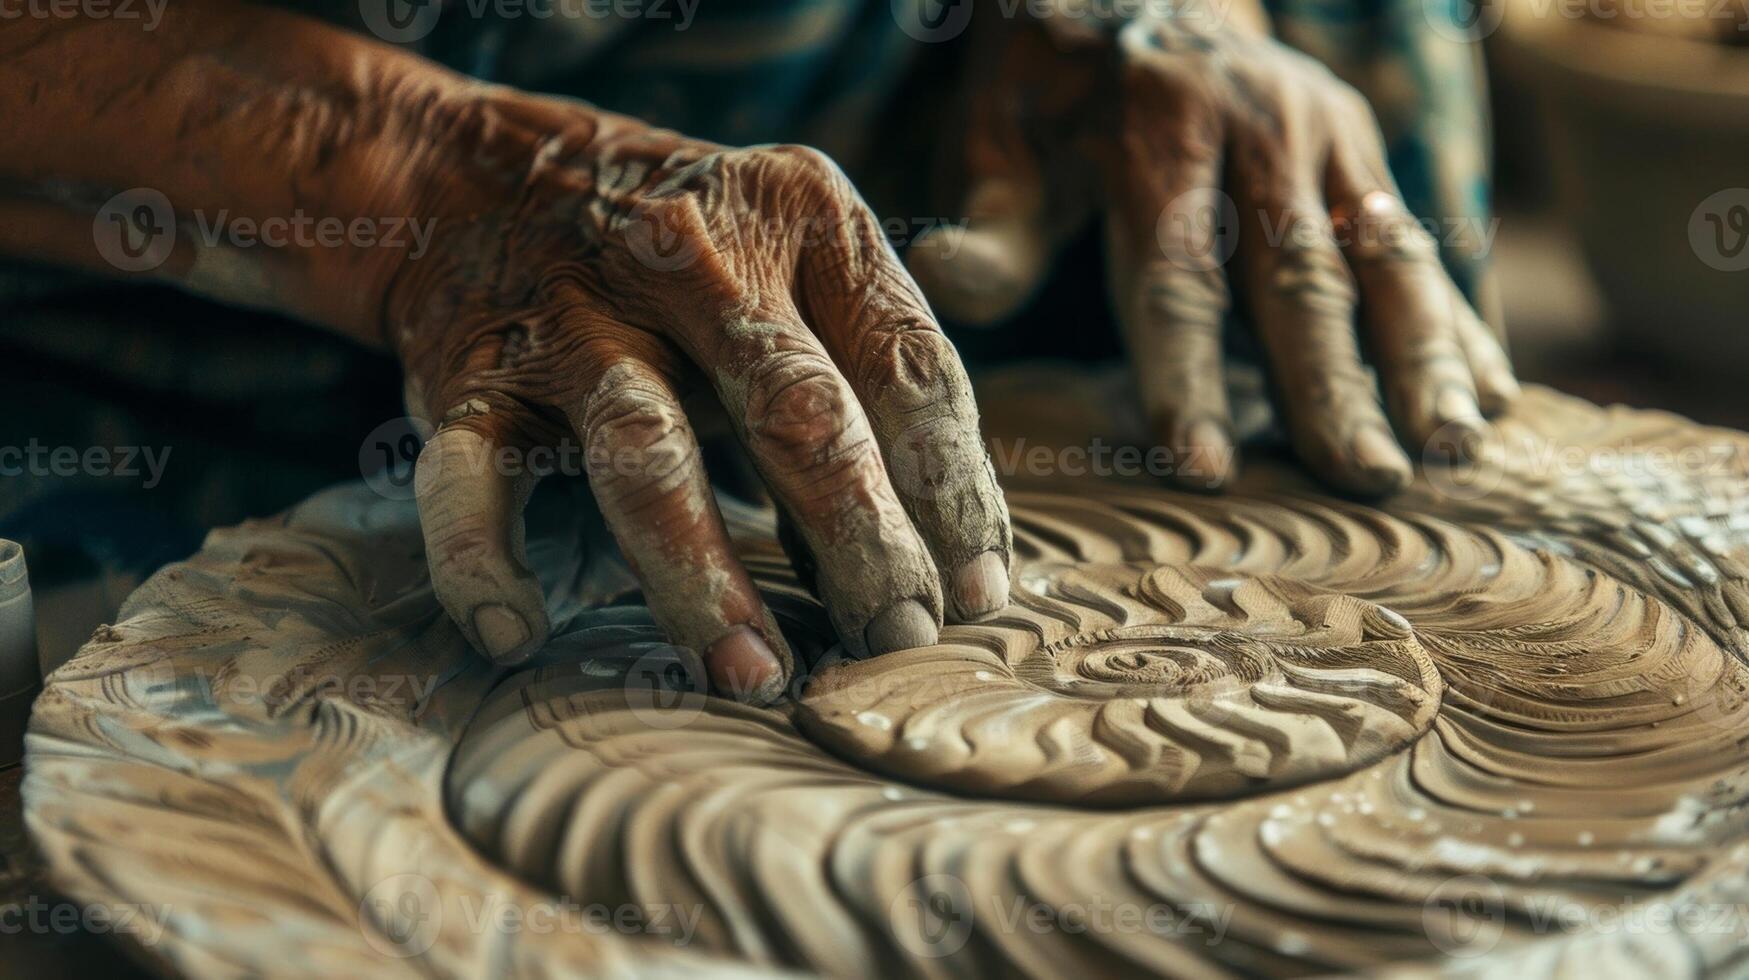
pixel 1479 727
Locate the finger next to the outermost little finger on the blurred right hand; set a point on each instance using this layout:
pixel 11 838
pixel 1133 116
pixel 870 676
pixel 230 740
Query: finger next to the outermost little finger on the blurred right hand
pixel 1411 311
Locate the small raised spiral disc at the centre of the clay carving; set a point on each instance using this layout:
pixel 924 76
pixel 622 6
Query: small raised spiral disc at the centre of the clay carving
pixel 1134 685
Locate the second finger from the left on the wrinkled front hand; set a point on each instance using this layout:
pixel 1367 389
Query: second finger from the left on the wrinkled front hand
pixel 650 480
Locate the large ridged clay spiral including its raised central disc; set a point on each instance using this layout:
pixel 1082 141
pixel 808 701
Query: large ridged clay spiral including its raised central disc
pixel 1575 762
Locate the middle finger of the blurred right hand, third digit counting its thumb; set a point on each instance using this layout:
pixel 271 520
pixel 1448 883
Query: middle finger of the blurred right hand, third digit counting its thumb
pixel 1304 302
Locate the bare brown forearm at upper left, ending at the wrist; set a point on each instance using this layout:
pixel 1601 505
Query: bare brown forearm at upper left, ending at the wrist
pixel 253 125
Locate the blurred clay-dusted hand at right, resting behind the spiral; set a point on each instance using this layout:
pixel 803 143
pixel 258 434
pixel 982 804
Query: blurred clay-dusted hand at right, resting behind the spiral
pixel 1195 139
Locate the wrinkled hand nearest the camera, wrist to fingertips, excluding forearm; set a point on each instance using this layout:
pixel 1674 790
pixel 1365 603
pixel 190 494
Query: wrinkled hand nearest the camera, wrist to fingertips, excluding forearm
pixel 589 279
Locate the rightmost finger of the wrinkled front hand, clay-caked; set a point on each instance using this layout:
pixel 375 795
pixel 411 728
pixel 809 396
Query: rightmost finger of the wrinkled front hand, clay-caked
pixel 919 402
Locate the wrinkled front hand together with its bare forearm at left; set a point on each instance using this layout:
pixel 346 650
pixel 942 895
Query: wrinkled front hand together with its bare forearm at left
pixel 575 277
